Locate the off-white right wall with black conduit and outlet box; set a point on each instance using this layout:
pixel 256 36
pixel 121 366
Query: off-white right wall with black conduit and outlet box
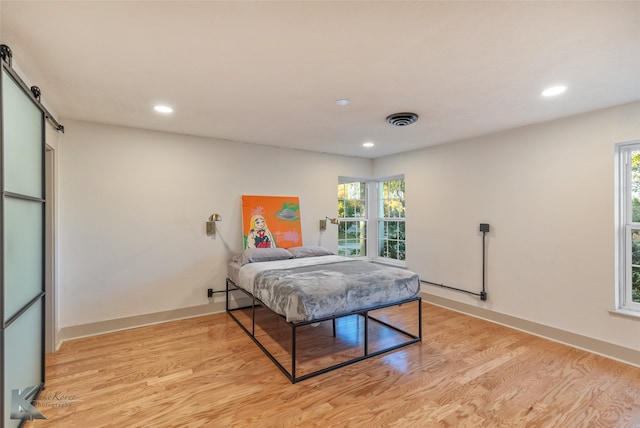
pixel 548 193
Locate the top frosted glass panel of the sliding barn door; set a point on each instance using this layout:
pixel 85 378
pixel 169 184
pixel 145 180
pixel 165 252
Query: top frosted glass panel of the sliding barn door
pixel 23 148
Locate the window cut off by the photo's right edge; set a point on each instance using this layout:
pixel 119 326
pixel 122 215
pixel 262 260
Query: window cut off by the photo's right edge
pixel 629 226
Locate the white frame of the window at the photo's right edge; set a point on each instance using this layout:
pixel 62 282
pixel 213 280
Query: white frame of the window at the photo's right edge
pixel 624 227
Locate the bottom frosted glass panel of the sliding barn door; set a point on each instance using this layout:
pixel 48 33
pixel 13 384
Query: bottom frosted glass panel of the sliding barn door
pixel 23 358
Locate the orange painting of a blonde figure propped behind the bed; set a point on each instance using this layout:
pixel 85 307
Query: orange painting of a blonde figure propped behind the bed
pixel 271 221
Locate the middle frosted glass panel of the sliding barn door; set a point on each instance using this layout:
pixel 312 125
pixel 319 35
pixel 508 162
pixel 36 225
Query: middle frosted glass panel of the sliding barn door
pixel 23 252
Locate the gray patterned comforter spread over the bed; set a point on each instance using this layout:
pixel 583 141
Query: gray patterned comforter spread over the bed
pixel 333 286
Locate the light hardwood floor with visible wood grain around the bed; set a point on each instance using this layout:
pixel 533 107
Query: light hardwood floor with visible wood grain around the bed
pixel 206 372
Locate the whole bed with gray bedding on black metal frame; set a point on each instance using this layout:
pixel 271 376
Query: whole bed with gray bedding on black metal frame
pixel 312 311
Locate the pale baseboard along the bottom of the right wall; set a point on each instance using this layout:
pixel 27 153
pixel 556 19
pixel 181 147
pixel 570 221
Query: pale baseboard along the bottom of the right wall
pixel 605 349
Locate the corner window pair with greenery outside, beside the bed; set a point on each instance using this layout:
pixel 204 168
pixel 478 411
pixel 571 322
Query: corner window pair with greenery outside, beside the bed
pixel 372 218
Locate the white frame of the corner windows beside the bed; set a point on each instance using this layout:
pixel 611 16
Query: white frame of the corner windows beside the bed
pixel 373 217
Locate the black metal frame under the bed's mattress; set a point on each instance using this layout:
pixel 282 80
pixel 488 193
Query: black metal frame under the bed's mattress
pixel 385 328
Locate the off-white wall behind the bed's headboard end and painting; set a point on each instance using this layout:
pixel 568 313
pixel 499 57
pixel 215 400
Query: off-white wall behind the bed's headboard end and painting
pixel 133 206
